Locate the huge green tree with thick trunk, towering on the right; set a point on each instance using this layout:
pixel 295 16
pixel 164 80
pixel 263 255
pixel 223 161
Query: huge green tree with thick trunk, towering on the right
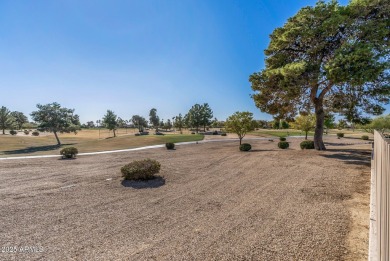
pixel 322 55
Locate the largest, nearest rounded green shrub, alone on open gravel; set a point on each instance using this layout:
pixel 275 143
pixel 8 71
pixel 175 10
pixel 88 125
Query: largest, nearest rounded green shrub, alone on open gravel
pixel 141 169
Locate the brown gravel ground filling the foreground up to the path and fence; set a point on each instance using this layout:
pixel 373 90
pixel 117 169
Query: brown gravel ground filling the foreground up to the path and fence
pixel 213 203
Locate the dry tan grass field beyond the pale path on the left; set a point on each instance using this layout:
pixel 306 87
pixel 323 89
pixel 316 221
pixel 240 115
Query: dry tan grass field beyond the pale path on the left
pixel 44 145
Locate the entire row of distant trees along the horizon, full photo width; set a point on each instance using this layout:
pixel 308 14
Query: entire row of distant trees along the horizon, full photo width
pixel 54 118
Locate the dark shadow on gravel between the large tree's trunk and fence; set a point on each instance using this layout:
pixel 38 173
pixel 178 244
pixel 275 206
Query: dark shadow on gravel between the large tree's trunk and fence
pixel 353 157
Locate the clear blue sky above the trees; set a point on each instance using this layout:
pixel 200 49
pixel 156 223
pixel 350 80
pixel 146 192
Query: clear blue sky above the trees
pixel 131 56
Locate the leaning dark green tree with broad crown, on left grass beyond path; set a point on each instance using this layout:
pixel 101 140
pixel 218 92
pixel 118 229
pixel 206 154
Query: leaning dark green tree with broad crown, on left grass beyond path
pixel 54 118
